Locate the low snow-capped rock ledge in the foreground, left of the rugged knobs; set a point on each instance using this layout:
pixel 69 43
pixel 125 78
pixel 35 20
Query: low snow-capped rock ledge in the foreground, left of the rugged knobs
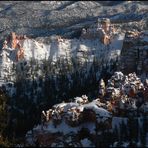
pixel 66 118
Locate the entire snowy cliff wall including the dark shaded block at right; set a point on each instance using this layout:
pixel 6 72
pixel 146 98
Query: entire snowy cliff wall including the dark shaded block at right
pixel 40 57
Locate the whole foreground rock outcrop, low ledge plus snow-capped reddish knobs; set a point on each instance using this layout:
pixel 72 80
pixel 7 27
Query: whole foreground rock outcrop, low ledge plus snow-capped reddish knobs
pixel 125 100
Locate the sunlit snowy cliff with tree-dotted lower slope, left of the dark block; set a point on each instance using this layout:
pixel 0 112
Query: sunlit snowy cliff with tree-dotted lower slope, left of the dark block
pixel 76 54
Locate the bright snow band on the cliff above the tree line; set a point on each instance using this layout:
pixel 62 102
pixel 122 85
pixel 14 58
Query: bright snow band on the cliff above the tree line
pixel 17 48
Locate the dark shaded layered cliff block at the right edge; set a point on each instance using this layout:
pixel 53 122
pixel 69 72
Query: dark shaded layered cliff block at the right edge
pixel 134 53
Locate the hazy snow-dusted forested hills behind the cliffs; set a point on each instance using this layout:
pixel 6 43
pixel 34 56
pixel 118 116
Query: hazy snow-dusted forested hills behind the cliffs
pixel 59 17
